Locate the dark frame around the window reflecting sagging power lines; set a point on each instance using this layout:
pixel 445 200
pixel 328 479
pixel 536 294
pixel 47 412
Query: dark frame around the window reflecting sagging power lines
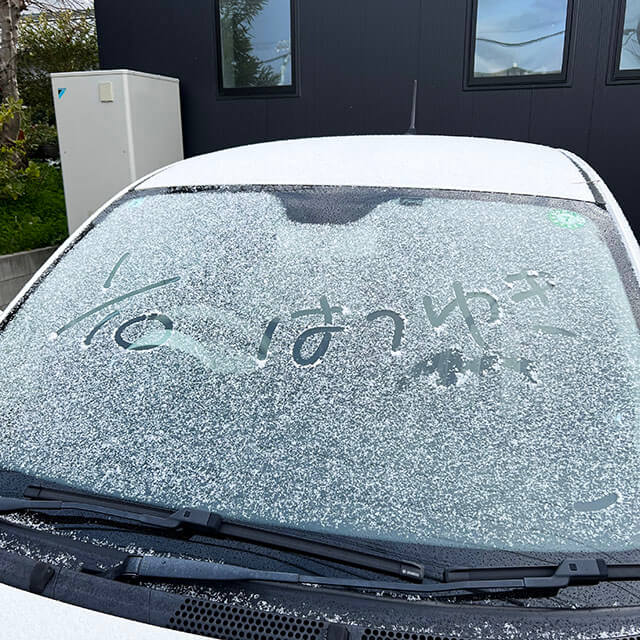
pixel 532 81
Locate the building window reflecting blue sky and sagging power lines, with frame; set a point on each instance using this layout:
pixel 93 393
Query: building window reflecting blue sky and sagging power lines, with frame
pixel 519 42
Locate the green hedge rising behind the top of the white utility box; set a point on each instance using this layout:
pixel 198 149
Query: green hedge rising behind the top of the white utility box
pixel 52 43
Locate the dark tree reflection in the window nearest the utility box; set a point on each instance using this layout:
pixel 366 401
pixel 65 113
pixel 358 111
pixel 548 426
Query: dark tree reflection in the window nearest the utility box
pixel 236 18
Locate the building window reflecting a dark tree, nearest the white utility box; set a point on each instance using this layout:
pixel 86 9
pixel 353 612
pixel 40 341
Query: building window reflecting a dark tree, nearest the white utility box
pixel 256 52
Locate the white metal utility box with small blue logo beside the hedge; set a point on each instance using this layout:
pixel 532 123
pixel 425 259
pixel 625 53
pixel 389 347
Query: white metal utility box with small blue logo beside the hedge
pixel 113 127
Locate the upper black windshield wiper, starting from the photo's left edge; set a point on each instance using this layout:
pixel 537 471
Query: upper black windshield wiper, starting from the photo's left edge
pixel 44 500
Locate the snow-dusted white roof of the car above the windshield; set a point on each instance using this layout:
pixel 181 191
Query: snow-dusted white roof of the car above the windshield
pixel 428 162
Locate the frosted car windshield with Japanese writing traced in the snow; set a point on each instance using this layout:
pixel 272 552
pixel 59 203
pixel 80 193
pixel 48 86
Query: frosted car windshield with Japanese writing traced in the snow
pixel 440 368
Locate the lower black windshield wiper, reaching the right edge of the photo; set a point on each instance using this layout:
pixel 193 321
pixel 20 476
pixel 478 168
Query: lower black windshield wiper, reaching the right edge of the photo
pixel 570 572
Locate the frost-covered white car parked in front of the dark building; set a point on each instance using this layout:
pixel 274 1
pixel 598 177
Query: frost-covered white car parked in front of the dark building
pixel 424 348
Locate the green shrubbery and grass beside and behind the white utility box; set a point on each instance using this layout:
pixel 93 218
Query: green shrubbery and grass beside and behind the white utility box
pixel 32 207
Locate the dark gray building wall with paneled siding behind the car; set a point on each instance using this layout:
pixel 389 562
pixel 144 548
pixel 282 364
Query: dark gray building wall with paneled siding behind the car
pixel 357 60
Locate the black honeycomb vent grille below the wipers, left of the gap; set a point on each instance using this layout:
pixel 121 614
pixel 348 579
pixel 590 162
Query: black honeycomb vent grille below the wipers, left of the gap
pixel 237 623
